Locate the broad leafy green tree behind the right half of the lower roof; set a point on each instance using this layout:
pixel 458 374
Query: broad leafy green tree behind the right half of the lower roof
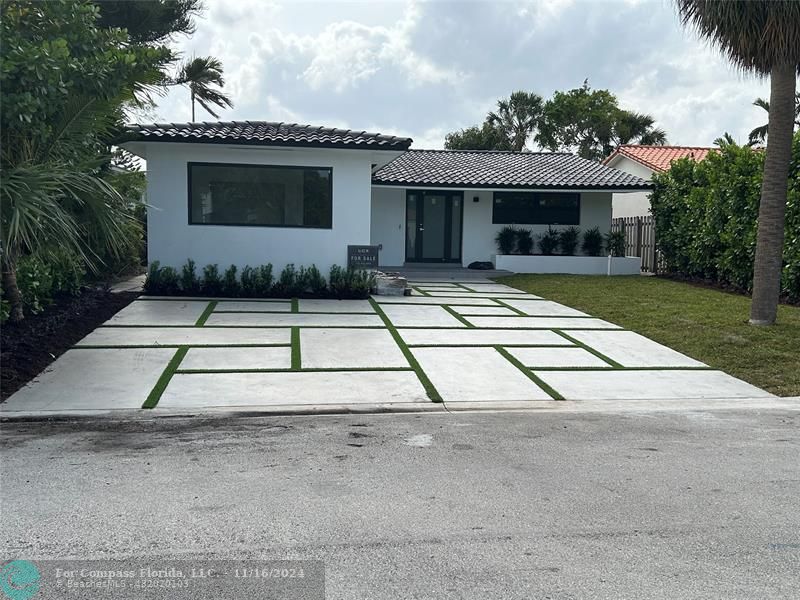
pixel 591 123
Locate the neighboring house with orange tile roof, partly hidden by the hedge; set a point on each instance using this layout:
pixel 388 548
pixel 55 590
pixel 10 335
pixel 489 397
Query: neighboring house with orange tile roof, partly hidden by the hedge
pixel 643 161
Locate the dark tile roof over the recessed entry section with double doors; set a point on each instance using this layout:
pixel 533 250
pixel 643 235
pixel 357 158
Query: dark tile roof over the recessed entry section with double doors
pixel 495 169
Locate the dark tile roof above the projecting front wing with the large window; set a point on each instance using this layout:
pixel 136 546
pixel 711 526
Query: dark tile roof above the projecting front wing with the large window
pixel 264 133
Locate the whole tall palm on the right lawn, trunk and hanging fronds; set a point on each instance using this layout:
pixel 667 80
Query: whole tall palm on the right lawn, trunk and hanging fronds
pixel 763 37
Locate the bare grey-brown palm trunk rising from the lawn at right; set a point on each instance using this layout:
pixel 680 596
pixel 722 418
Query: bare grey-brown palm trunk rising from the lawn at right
pixel 772 211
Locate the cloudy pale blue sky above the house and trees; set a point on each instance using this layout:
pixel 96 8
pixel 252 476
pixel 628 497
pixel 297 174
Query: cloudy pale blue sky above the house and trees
pixel 423 69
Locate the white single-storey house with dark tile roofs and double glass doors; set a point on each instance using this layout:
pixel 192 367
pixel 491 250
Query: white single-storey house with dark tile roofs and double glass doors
pixel 255 192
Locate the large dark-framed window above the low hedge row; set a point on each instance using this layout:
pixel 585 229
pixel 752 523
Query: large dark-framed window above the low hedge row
pixel 259 195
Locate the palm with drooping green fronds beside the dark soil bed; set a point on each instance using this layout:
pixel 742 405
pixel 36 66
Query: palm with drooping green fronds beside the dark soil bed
pixel 52 193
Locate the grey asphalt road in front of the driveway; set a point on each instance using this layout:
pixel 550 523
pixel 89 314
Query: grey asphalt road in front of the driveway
pixel 506 505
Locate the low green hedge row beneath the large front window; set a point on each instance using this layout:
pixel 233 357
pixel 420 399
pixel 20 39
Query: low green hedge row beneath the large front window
pixel 258 282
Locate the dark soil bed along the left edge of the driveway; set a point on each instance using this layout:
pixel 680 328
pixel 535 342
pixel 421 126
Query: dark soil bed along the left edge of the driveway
pixel 26 348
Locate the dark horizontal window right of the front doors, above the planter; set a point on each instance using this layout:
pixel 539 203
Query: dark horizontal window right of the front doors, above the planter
pixel 536 208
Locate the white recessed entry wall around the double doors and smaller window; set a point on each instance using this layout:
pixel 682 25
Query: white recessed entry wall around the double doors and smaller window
pixel 389 222
